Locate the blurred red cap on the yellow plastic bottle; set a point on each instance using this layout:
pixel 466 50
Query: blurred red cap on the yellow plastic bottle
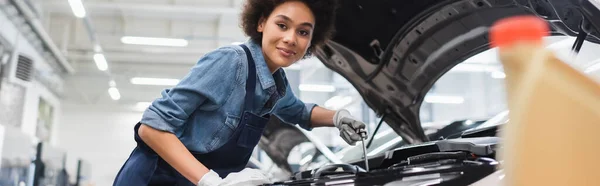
pixel 507 31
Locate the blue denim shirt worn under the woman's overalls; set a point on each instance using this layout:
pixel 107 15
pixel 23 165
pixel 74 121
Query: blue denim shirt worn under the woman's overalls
pixel 204 109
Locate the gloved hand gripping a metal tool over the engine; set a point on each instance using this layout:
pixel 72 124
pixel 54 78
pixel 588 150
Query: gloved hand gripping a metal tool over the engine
pixel 348 126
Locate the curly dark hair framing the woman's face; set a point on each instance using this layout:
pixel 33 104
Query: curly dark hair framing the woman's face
pixel 323 10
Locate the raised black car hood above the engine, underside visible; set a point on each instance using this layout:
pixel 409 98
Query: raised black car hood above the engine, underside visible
pixel 392 52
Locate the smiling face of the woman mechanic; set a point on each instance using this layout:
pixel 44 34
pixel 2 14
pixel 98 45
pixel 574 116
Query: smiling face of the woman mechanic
pixel 287 33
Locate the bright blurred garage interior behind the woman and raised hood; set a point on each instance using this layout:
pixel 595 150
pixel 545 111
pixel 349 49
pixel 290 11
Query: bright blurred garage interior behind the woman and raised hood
pixel 77 76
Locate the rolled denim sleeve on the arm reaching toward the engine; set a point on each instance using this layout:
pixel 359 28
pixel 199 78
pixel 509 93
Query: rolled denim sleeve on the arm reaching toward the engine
pixel 292 110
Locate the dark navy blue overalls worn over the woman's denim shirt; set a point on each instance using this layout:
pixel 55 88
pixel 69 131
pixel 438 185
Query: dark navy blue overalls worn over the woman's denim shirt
pixel 145 167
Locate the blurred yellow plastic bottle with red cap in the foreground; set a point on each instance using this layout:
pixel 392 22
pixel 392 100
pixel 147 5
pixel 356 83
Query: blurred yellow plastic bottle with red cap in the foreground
pixel 553 136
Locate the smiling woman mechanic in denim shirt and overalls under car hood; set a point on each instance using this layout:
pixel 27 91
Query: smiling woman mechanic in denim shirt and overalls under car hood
pixel 206 127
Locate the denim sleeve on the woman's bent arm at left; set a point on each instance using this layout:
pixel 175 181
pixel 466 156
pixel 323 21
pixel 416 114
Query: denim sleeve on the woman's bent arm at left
pixel 207 86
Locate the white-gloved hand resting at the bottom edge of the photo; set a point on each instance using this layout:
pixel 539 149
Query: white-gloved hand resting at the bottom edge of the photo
pixel 245 177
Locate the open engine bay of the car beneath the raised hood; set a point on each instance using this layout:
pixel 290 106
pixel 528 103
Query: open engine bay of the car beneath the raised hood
pixel 459 161
